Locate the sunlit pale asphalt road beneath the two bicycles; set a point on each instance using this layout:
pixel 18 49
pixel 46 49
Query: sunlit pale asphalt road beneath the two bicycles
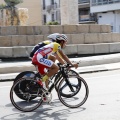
pixel 103 102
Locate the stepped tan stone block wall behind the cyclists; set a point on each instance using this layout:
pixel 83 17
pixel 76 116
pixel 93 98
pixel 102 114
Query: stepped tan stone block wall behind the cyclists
pixel 17 41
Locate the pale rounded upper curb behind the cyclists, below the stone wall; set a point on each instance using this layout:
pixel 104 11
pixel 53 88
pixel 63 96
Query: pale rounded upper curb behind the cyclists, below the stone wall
pixel 13 67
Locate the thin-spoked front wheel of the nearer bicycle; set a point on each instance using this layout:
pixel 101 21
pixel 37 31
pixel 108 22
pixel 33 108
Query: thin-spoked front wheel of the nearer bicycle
pixel 77 99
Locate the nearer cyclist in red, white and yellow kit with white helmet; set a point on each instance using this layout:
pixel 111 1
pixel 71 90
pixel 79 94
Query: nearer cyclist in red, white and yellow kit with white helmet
pixel 42 55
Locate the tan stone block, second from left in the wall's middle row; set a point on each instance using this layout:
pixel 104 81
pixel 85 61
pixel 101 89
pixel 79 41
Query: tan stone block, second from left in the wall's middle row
pixel 19 40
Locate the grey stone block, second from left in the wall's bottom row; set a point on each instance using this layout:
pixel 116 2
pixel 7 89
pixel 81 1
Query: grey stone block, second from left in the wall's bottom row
pixel 19 51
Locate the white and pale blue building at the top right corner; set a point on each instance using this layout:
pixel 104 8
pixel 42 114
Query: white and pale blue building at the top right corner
pixel 108 12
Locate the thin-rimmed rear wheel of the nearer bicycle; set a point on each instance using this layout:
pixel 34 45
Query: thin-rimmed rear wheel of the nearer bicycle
pixel 31 90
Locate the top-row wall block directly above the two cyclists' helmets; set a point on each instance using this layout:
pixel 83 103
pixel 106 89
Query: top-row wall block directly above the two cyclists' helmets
pixel 56 29
